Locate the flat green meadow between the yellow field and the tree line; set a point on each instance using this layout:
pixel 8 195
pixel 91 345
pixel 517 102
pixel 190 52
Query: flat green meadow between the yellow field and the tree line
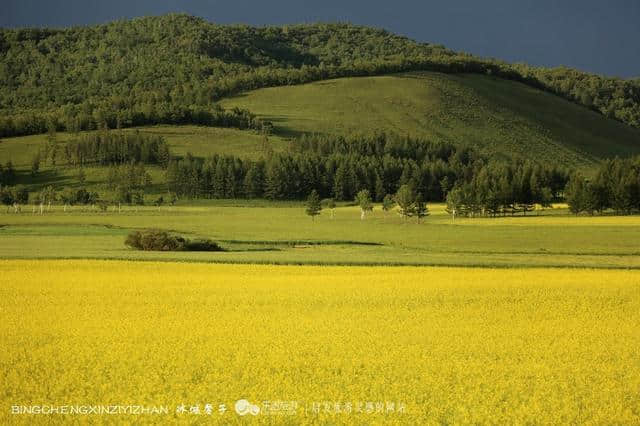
pixel 281 233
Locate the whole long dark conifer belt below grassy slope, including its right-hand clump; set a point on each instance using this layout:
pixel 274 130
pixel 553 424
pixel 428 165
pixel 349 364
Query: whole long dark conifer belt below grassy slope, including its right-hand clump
pixel 431 170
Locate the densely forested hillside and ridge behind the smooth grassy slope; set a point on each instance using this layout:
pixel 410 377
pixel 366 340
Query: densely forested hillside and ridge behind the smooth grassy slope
pixel 171 69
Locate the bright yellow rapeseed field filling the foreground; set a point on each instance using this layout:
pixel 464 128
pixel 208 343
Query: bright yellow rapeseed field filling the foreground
pixel 167 342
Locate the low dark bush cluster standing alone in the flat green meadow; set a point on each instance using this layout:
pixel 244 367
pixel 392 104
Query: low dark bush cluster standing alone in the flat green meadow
pixel 158 240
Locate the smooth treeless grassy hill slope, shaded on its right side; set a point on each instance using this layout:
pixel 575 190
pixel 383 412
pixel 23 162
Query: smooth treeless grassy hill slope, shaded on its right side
pixel 495 115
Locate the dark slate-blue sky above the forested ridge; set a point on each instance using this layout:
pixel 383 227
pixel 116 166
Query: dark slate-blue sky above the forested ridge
pixel 593 35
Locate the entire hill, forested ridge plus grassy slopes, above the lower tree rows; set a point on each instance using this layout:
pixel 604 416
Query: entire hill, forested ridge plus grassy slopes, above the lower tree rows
pixel 166 74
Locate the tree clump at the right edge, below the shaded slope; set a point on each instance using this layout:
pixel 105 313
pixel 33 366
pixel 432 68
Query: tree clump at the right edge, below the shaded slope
pixel 616 186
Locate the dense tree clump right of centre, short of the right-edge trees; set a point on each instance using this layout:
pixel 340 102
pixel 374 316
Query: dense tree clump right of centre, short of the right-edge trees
pixel 502 188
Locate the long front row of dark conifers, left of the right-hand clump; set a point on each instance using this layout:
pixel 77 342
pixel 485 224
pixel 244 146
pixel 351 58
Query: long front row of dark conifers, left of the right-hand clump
pixel 292 176
